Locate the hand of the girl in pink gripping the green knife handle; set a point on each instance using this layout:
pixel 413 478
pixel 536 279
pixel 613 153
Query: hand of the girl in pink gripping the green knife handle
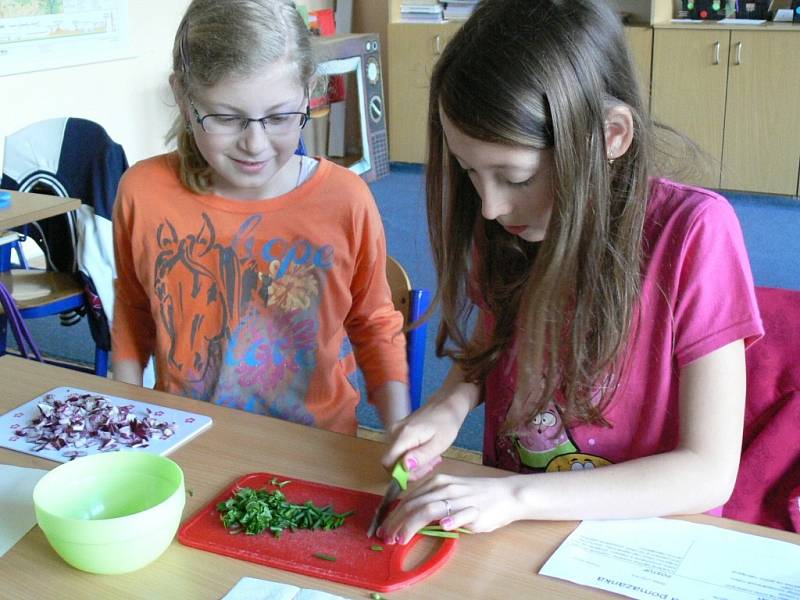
pixel 422 437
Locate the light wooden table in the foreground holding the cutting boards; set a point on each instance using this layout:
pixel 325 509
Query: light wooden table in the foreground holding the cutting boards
pixel 502 564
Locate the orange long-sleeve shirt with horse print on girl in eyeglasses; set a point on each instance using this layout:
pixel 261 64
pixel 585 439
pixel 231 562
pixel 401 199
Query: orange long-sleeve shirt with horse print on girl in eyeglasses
pixel 246 303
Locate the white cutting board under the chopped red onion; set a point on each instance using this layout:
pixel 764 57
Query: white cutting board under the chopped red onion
pixel 188 425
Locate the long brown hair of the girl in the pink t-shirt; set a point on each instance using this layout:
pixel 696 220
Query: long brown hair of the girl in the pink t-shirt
pixel 541 74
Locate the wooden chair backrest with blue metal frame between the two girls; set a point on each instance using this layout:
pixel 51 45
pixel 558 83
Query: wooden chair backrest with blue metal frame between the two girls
pixel 412 304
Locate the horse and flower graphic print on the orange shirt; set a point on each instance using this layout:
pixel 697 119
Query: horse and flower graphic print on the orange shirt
pixel 241 319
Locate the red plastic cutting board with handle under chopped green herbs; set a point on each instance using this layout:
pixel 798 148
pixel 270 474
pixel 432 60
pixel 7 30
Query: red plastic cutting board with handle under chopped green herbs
pixel 356 563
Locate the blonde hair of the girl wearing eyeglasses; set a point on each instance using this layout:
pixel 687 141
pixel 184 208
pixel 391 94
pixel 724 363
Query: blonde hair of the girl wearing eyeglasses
pixel 216 39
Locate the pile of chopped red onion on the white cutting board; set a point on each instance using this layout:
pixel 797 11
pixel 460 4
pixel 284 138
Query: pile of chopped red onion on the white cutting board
pixel 84 420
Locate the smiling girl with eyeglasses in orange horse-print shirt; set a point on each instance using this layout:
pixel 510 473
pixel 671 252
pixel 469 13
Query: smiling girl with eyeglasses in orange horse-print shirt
pixel 242 267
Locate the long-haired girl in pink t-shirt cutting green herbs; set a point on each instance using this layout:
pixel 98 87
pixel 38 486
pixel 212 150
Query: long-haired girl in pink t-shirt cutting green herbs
pixel 612 306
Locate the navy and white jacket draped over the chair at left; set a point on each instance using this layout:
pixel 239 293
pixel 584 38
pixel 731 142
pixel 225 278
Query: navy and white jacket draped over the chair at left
pixel 75 158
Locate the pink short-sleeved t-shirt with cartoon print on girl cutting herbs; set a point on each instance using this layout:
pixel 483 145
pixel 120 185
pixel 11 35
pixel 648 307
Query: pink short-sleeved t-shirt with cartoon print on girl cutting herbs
pixel 697 296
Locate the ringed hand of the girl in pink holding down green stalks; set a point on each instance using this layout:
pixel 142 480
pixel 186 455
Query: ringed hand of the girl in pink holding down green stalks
pixel 479 504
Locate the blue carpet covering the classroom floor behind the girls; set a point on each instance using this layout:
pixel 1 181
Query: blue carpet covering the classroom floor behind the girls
pixel 771 226
